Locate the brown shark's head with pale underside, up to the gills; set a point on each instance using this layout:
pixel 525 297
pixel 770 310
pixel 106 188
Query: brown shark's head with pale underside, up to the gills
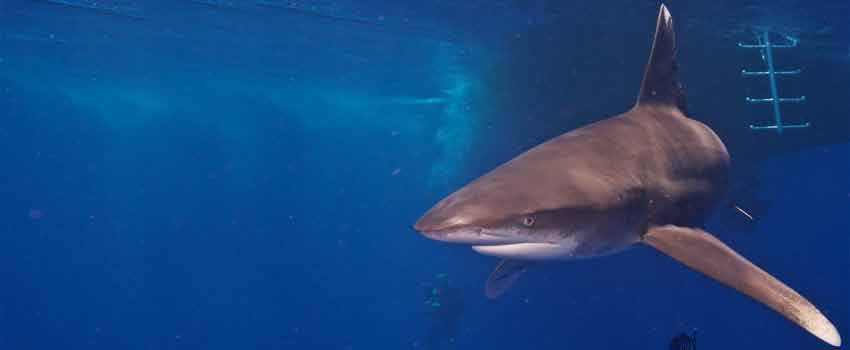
pixel 518 212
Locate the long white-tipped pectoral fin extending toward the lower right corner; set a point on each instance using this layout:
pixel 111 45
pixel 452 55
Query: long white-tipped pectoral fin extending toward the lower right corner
pixel 703 252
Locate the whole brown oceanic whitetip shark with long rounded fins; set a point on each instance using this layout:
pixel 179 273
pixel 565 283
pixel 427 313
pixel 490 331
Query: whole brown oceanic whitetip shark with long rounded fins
pixel 648 176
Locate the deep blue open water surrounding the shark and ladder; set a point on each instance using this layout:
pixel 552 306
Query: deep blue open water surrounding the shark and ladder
pixel 245 174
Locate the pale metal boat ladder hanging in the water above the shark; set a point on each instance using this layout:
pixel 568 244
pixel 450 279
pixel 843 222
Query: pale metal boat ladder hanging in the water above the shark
pixel 767 47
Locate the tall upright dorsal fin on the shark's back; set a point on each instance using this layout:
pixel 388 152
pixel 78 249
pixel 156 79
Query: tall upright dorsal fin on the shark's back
pixel 660 84
